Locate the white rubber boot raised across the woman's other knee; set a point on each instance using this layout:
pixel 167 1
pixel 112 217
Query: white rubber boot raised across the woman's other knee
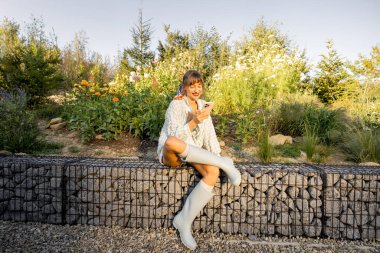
pixel 203 156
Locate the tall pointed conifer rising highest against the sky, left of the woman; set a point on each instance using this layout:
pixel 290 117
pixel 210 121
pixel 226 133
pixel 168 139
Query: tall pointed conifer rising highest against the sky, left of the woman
pixel 140 53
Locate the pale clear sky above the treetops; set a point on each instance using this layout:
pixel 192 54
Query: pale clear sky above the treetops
pixel 353 25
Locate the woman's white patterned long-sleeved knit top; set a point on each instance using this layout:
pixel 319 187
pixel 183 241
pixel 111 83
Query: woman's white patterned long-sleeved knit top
pixel 203 135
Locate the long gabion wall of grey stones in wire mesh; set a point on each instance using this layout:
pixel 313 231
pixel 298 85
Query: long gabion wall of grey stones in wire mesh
pixel 289 200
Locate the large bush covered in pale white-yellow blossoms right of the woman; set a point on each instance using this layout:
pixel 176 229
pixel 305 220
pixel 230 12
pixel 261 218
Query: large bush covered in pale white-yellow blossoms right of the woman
pixel 262 70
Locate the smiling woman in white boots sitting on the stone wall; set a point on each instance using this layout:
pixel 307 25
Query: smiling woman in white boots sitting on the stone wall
pixel 188 135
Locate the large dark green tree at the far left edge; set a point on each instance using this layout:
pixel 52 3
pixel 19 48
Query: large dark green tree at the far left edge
pixel 32 63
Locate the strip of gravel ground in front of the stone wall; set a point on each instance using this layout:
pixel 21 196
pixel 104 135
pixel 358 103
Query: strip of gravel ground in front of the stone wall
pixel 36 237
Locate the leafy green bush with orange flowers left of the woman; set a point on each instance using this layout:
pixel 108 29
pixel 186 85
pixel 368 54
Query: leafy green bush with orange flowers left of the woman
pixel 110 109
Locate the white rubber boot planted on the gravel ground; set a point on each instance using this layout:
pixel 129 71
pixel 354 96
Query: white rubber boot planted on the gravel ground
pixel 195 202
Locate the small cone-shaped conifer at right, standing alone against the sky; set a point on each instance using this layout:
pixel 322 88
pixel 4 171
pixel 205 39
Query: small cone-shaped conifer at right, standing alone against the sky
pixel 332 80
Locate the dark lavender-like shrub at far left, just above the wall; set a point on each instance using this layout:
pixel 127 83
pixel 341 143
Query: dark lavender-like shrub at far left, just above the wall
pixel 18 128
